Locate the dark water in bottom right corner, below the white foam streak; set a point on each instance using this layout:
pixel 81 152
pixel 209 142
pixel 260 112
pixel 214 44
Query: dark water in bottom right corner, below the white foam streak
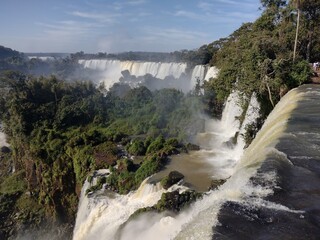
pixel 237 221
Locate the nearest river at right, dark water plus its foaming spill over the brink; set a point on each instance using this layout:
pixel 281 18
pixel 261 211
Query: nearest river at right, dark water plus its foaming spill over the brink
pixel 273 192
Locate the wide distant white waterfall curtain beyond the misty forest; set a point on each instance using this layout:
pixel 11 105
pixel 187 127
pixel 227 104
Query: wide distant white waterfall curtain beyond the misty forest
pixel 112 71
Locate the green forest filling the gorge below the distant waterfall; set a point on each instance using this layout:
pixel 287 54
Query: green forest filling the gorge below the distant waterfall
pixel 61 131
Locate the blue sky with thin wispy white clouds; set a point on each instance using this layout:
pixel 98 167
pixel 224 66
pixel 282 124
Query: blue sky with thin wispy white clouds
pixel 117 26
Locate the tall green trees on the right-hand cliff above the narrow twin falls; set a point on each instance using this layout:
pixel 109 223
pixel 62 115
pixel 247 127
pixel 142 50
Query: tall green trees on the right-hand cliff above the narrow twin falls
pixel 258 57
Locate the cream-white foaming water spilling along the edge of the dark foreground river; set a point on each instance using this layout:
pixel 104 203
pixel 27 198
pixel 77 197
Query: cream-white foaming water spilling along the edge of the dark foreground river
pixel 198 221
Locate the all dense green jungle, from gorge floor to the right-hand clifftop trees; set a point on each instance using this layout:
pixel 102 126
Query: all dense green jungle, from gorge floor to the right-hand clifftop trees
pixel 61 131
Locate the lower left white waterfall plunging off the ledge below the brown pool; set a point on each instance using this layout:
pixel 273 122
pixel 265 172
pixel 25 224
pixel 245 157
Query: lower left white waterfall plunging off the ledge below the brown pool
pixel 101 214
